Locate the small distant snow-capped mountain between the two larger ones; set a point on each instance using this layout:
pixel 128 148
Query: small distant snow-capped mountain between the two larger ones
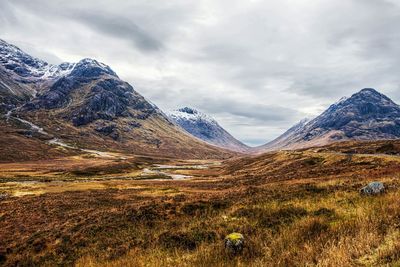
pixel 206 128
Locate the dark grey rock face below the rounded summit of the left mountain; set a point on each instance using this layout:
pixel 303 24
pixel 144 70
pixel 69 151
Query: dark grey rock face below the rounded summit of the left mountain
pixel 106 98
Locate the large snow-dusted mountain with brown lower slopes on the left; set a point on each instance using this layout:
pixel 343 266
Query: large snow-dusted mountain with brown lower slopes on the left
pixel 84 105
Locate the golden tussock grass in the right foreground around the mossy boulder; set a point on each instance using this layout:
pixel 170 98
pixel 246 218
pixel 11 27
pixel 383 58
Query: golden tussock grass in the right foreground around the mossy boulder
pixel 338 229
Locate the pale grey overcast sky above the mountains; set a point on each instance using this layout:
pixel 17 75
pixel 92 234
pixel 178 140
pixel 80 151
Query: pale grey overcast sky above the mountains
pixel 257 67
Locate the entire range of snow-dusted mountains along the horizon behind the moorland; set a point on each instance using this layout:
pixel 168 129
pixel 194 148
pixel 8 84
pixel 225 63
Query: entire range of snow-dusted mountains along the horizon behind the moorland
pixel 86 105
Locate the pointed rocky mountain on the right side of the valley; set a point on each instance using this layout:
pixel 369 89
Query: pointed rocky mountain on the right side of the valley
pixel 366 115
